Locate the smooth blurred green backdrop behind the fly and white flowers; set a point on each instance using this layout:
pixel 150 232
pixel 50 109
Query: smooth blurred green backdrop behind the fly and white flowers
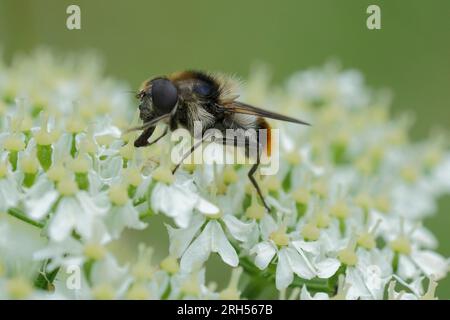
pixel 410 55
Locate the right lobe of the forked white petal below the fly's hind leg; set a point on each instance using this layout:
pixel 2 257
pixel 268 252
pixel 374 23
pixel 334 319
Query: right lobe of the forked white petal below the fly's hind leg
pixel 221 245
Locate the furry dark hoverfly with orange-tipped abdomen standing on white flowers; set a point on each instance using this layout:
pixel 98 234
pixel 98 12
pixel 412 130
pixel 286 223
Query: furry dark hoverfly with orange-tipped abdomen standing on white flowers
pixel 180 99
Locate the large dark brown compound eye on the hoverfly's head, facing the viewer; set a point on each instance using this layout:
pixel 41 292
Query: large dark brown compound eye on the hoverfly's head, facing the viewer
pixel 164 95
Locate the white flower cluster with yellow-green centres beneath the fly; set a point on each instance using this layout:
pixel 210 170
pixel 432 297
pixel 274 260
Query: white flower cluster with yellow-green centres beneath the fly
pixel 348 200
